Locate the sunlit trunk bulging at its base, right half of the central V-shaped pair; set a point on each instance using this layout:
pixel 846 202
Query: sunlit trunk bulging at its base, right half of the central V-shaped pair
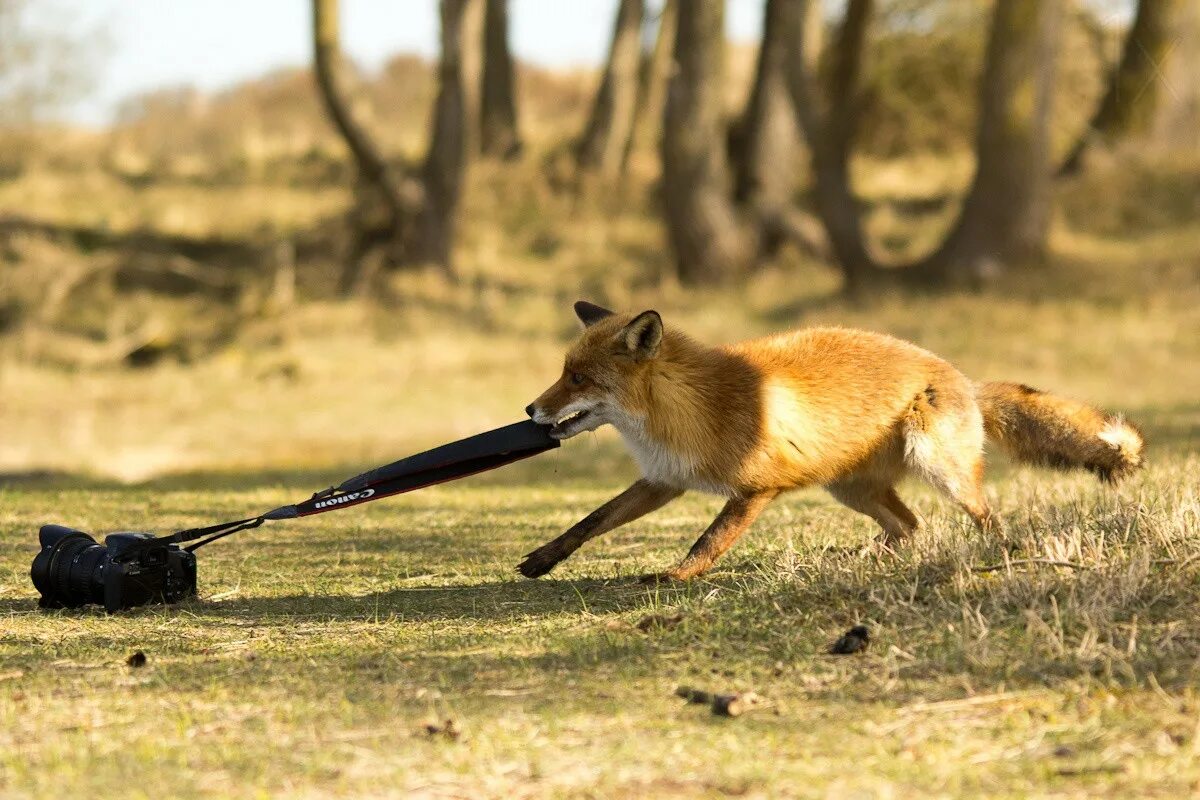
pixel 766 153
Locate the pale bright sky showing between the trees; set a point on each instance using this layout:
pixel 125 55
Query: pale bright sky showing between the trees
pixel 214 44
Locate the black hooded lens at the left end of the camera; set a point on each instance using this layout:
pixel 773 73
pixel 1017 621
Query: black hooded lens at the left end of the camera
pixel 70 569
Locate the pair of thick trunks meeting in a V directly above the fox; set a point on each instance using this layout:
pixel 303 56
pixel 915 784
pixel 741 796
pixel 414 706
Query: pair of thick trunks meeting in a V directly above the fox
pixel 722 225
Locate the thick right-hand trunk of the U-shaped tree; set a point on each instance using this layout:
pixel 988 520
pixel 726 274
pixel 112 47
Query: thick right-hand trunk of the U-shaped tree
pixel 1007 212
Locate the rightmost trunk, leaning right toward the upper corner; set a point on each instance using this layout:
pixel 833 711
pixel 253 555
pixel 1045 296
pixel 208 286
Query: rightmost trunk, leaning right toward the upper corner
pixel 1136 87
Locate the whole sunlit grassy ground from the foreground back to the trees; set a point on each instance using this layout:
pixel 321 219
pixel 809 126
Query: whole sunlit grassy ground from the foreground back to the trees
pixel 1058 659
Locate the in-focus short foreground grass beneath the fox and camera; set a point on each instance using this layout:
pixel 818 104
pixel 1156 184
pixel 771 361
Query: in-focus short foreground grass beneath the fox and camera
pixel 320 649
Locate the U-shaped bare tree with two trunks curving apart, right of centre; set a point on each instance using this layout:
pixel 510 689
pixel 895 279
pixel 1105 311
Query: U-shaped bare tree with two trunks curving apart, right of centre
pixel 1006 214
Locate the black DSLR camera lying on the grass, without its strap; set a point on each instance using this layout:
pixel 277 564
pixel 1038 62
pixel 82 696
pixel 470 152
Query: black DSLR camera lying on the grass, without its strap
pixel 73 570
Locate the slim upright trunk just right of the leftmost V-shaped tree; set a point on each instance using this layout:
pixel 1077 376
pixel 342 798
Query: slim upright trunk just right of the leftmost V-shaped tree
pixel 499 117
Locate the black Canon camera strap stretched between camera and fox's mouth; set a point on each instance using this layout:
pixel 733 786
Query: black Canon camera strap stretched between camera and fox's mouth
pixel 449 462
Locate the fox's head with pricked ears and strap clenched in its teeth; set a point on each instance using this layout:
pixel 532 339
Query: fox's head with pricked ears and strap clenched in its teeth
pixel 604 372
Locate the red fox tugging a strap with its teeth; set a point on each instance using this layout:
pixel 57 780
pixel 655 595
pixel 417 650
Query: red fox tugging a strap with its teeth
pixel 850 411
